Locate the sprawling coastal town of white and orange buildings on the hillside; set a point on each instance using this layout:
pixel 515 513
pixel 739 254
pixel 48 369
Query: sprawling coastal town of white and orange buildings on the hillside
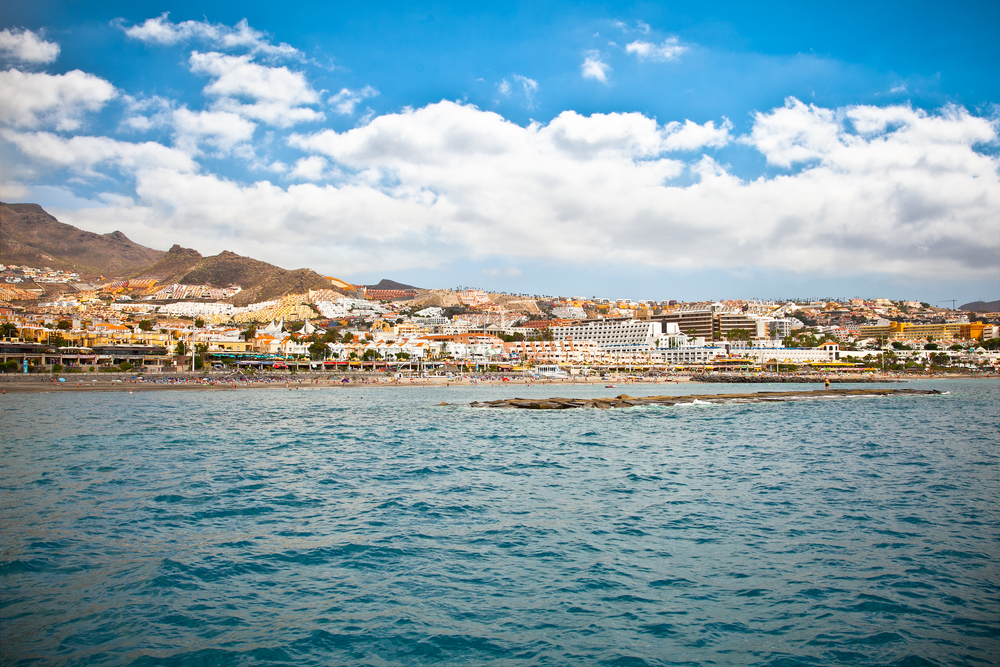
pixel 52 323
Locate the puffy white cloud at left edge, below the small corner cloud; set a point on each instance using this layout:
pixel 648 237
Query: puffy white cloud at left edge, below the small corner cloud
pixel 33 100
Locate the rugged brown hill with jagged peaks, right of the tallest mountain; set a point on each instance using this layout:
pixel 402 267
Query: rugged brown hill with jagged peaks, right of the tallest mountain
pixel 260 281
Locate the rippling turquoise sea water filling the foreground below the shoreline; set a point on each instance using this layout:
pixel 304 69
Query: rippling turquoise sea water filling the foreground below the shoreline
pixel 374 527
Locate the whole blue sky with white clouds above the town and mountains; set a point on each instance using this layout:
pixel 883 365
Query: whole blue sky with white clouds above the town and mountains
pixel 672 150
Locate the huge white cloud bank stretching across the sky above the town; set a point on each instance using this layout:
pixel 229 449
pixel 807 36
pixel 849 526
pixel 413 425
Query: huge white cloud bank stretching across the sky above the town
pixel 888 190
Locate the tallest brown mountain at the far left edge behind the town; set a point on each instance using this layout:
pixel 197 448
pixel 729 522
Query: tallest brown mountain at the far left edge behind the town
pixel 32 237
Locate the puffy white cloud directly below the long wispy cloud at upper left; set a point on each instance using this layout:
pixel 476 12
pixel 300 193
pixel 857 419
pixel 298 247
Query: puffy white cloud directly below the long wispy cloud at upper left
pixel 277 94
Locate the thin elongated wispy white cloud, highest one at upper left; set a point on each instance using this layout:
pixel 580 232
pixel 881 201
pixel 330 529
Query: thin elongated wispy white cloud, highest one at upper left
pixel 161 31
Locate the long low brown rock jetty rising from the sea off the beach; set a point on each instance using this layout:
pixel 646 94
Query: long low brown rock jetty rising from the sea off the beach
pixel 626 401
